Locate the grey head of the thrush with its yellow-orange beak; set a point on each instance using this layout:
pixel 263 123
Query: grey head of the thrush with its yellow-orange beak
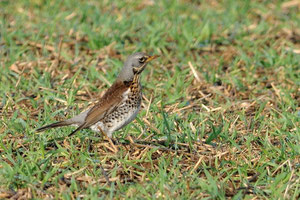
pixel 134 65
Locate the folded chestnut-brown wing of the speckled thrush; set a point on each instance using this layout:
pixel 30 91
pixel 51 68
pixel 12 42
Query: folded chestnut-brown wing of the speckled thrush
pixel 108 103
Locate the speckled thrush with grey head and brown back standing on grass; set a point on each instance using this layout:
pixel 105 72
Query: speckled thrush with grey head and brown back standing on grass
pixel 118 106
